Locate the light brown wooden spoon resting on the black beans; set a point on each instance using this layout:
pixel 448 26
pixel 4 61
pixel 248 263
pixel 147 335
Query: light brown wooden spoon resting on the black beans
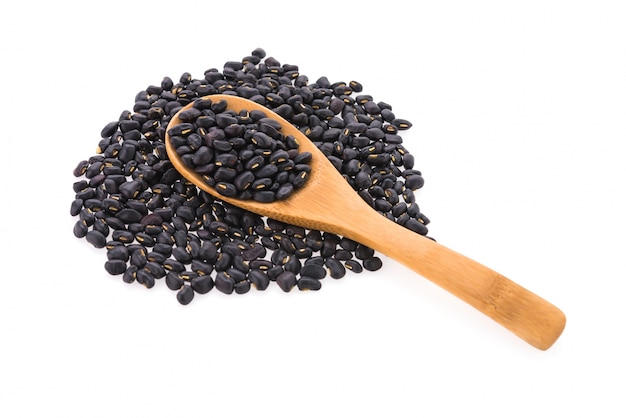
pixel 328 203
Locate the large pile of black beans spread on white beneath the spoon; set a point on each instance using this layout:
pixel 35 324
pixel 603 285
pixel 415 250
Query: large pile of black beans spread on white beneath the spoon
pixel 155 224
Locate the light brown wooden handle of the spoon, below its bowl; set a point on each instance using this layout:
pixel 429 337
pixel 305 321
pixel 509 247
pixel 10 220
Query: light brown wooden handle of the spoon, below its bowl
pixel 527 315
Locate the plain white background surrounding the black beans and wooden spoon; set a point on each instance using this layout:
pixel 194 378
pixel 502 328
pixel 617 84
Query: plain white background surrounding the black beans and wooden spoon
pixel 519 113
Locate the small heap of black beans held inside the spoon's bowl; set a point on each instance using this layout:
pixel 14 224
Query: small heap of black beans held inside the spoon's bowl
pixel 243 155
